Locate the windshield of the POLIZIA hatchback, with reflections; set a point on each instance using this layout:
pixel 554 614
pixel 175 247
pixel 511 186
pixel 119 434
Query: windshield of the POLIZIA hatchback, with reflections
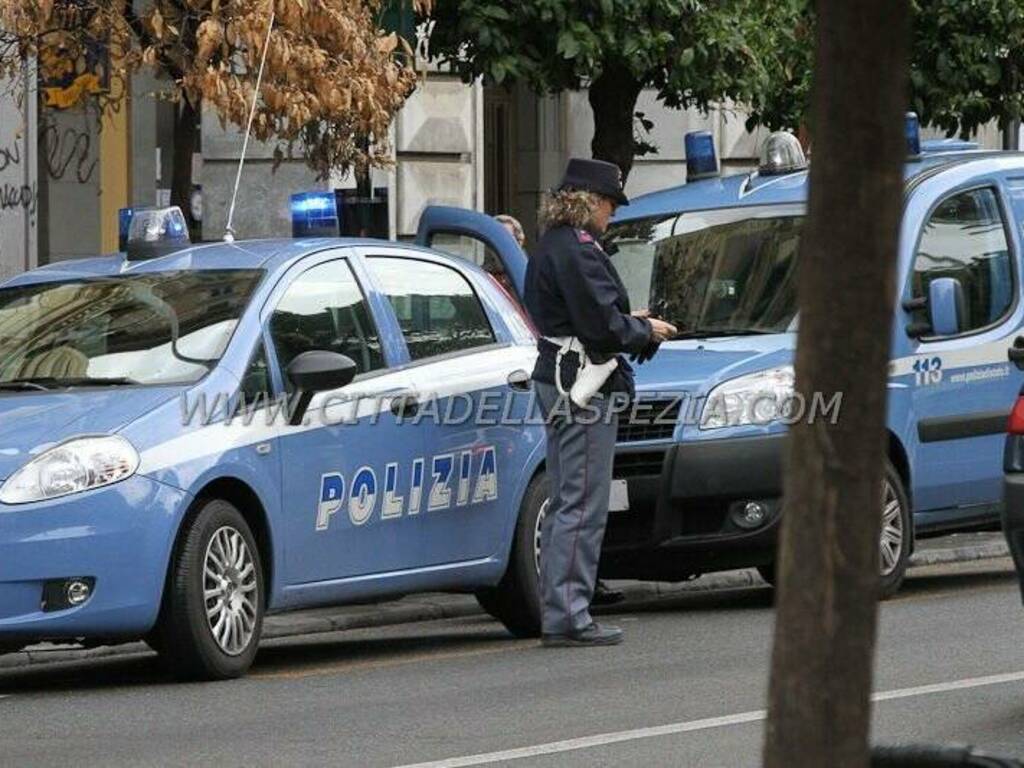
pixel 166 328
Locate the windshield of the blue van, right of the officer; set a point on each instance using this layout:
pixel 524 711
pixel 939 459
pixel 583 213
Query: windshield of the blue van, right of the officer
pixel 714 273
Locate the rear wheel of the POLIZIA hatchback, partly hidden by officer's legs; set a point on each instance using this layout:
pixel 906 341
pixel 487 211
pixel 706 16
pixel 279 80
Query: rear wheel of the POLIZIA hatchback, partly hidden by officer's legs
pixel 517 601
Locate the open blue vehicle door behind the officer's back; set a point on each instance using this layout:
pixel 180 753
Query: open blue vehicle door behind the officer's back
pixel 477 238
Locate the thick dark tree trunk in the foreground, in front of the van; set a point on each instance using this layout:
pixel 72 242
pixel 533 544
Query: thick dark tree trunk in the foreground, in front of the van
pixel 820 697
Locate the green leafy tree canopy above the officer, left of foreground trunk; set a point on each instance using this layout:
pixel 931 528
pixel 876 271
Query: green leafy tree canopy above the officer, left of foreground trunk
pixel 695 53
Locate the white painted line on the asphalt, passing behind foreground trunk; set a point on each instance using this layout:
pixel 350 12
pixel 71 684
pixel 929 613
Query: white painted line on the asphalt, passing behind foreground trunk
pixel 603 740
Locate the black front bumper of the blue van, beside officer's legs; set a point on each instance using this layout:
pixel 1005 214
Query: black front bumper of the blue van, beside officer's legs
pixel 679 520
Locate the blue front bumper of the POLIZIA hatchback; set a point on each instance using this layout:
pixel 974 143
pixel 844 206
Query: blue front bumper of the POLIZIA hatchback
pixel 120 536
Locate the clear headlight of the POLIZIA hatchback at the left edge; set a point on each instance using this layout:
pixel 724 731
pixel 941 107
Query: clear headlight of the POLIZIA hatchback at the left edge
pixel 70 468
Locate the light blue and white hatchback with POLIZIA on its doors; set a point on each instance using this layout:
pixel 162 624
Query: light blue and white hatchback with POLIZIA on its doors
pixel 194 437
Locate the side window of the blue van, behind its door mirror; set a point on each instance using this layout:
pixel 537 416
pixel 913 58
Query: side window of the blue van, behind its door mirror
pixel 966 239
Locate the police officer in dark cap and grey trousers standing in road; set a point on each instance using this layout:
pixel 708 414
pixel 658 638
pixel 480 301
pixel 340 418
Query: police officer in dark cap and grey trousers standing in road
pixel 576 298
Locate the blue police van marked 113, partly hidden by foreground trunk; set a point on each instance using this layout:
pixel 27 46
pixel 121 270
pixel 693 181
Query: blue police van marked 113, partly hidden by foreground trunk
pixel 699 461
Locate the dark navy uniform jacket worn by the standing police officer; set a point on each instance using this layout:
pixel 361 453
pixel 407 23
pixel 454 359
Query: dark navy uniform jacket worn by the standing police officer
pixel 573 289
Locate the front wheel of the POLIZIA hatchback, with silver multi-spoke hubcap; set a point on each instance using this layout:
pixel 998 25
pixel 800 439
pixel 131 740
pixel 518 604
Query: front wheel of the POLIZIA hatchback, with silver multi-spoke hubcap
pixel 217 553
